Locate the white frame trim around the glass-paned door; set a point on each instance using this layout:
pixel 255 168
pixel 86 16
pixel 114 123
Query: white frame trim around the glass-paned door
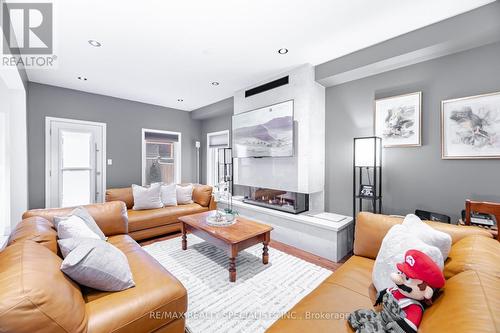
pixel 48 152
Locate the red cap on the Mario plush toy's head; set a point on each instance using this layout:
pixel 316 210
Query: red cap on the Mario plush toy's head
pixel 418 265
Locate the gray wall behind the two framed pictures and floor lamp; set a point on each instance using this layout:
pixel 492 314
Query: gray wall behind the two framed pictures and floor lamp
pixel 413 177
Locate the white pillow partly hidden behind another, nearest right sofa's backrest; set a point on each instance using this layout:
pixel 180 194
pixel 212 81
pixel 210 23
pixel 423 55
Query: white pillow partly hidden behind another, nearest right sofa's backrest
pixel 428 234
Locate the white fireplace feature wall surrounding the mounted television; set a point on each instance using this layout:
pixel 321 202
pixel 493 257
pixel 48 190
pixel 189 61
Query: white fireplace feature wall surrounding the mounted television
pixel 304 172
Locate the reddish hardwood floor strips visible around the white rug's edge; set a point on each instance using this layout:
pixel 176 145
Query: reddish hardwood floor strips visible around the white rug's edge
pixel 307 256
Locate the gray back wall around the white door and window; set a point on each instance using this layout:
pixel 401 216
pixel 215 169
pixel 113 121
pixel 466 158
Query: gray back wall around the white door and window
pixel 124 120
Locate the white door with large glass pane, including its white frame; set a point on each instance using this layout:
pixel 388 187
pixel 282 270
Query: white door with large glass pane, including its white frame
pixel 75 155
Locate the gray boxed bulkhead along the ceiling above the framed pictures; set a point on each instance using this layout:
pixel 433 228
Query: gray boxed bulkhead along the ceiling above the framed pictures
pixel 466 31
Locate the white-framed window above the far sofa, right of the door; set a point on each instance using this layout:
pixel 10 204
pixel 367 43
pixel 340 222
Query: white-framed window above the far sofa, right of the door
pixel 161 157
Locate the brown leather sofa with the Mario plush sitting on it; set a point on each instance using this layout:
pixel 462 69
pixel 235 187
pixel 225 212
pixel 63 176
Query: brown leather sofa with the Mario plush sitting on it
pixel 469 302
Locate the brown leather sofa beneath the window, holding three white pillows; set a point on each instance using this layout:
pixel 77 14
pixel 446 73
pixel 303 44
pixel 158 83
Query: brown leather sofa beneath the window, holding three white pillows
pixel 149 223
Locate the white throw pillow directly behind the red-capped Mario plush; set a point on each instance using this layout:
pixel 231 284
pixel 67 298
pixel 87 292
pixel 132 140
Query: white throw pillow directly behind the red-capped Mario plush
pixel 394 245
